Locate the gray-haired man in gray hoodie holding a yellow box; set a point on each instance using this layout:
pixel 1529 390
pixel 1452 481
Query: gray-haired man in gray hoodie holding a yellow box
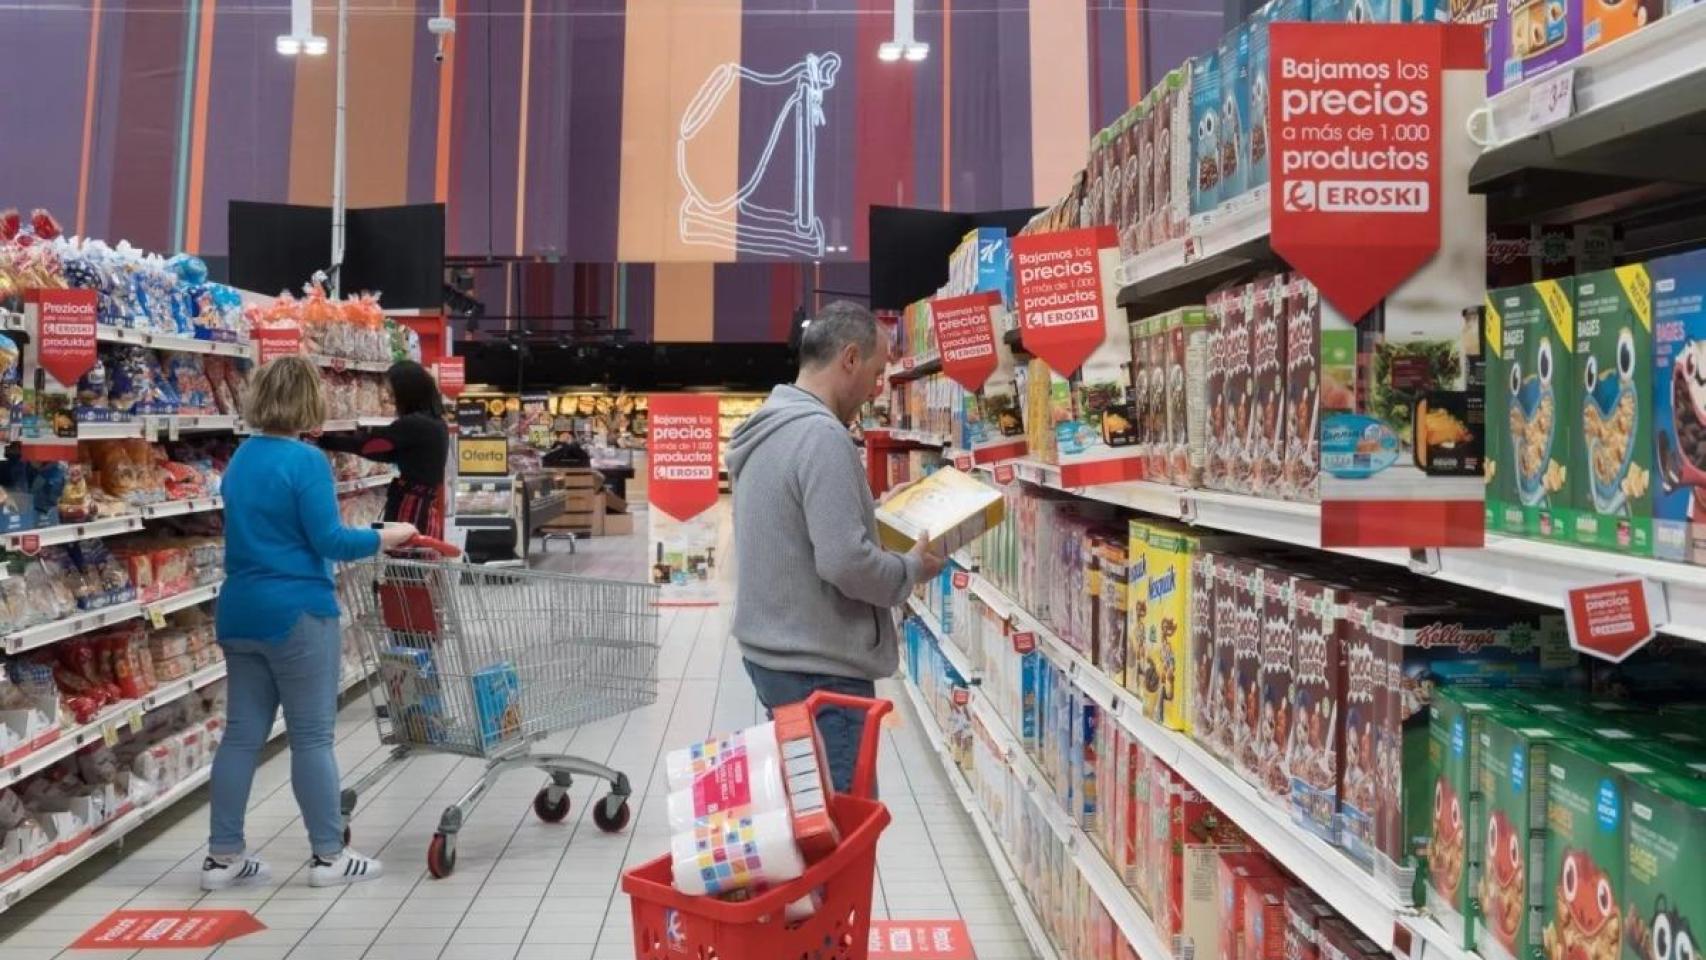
pixel 816 593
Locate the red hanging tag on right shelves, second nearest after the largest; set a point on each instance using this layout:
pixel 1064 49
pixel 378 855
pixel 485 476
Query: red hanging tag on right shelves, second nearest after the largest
pixel 1059 292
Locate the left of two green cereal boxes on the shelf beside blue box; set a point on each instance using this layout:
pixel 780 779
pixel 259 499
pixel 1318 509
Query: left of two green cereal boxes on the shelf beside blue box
pixel 1531 335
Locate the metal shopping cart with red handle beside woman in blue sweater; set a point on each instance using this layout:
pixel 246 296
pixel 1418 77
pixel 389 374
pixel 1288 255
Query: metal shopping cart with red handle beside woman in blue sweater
pixel 484 662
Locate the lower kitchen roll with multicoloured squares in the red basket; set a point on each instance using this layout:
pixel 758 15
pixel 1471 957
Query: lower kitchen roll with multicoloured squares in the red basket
pixel 736 853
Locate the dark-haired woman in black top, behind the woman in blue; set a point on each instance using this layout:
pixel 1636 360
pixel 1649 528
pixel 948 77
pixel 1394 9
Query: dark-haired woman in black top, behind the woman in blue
pixel 419 442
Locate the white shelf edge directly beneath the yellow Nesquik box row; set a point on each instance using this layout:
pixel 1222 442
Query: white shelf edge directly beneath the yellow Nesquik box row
pixel 1316 864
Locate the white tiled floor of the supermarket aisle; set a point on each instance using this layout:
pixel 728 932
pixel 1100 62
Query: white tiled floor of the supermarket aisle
pixel 523 889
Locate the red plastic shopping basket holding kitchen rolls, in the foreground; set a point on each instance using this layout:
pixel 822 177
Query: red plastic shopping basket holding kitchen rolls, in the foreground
pixel 671 925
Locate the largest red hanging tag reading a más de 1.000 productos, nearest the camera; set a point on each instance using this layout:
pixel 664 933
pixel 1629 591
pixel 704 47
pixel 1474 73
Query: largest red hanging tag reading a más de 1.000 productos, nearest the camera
pixel 1355 197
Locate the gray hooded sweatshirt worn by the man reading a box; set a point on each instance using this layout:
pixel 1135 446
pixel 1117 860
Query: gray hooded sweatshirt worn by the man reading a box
pixel 815 593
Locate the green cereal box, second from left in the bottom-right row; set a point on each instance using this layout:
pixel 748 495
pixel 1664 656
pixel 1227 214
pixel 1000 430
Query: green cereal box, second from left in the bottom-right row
pixel 1516 749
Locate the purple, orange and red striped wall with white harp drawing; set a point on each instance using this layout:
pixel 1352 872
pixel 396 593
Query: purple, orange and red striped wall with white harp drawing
pixel 714 147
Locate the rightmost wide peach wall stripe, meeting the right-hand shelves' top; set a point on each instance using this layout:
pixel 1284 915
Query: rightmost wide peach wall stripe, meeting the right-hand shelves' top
pixel 1060 100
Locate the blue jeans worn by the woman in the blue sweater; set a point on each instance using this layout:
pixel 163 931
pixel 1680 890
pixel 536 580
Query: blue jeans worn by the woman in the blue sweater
pixel 299 674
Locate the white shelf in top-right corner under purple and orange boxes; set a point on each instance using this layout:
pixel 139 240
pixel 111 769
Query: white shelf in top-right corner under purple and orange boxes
pixel 1625 95
